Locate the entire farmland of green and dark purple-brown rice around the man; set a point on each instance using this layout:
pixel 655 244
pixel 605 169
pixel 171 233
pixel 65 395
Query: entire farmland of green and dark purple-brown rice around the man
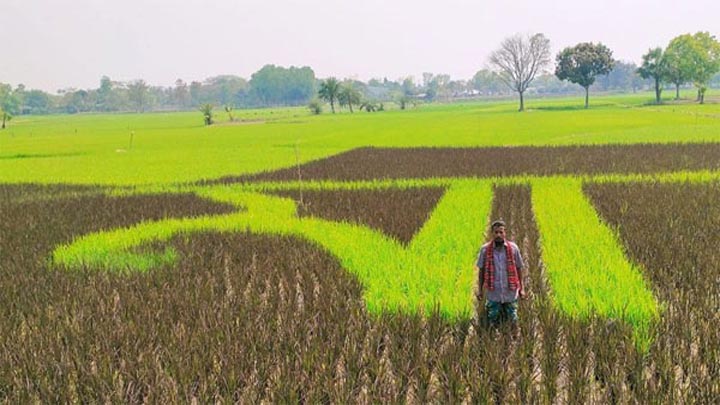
pixel 330 260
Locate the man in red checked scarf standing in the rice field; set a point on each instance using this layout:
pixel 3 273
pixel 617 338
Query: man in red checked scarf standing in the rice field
pixel 499 265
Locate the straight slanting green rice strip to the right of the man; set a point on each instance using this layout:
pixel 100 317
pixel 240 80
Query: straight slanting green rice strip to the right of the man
pixel 587 270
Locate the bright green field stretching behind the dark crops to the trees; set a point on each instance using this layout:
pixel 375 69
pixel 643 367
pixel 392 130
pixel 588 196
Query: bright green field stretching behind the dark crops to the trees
pixel 175 147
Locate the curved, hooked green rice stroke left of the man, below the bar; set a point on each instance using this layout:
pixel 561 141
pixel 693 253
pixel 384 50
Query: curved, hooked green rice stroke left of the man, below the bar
pixel 434 270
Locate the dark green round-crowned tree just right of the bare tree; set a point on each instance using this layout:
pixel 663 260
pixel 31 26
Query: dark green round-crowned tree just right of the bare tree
pixel 582 63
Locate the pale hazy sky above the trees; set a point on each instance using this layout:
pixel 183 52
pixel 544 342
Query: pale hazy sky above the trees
pixel 56 44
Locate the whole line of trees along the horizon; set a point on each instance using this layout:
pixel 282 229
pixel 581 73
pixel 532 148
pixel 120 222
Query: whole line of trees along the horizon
pixel 518 66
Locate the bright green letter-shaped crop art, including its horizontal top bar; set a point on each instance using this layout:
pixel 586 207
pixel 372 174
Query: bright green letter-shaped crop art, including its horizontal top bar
pixel 587 270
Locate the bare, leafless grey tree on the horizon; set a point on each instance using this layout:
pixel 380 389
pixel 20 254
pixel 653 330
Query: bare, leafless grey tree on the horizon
pixel 519 59
